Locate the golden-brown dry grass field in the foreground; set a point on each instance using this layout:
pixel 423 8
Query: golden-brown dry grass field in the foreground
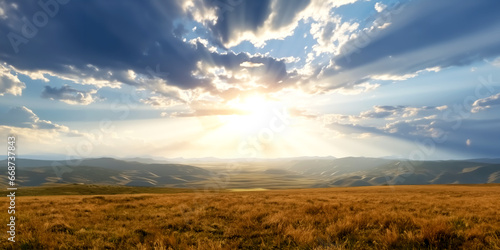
pixel 400 217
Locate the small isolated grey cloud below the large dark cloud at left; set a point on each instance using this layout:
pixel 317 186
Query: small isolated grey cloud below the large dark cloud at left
pixel 70 95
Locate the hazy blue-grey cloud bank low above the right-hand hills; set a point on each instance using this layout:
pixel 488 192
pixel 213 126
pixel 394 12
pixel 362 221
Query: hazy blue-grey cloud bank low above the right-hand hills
pixel 428 132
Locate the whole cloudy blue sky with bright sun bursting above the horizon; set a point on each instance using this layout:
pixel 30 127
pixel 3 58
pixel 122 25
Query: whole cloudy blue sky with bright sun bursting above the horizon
pixel 251 78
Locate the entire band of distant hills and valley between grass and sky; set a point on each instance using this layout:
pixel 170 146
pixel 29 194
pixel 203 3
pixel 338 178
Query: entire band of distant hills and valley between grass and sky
pixel 301 172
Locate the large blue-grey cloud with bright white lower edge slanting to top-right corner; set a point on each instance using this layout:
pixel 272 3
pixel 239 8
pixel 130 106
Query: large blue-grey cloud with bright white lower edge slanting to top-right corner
pixel 423 36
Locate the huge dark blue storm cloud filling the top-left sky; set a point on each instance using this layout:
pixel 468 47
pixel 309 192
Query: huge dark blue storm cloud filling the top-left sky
pixel 114 37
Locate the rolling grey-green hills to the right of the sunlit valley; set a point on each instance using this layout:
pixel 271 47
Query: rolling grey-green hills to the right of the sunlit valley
pixel 374 171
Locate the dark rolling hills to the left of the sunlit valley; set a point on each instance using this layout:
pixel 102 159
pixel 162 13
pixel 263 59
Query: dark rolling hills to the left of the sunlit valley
pixel 106 171
